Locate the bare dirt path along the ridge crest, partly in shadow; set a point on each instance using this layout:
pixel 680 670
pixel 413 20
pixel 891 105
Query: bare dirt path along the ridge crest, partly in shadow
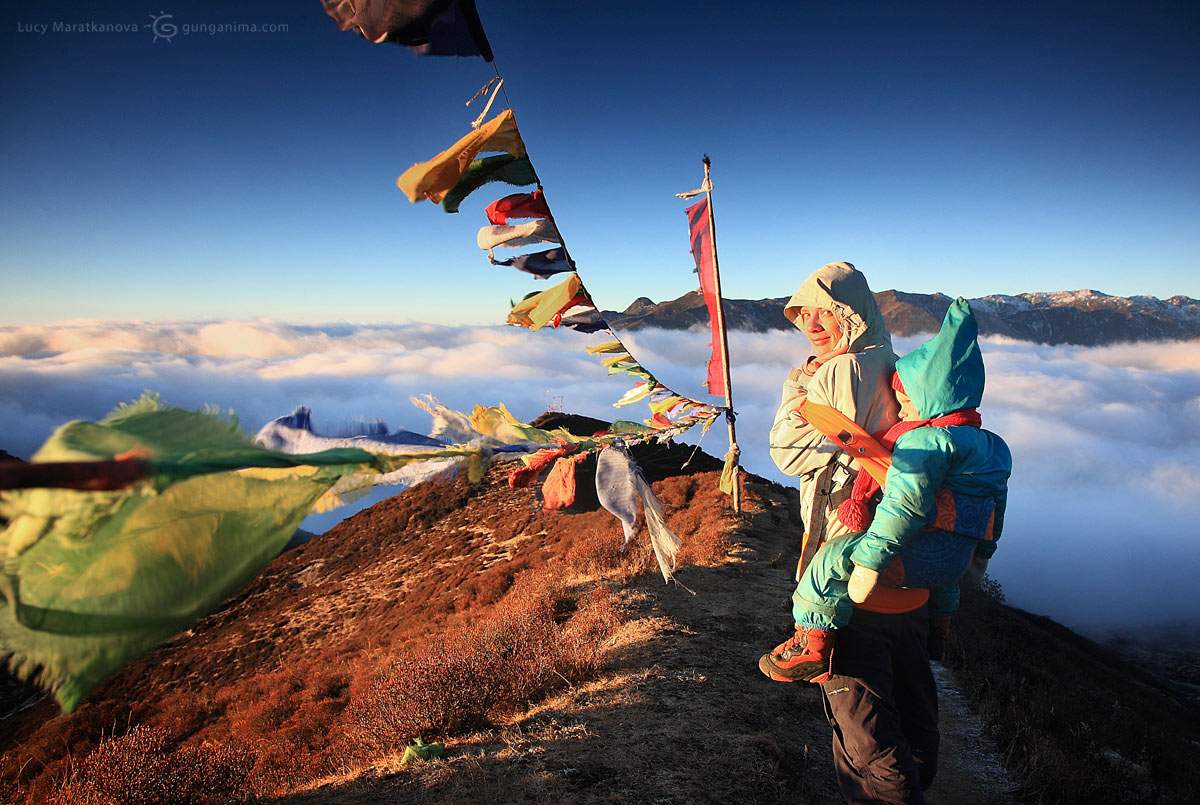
pixel 683 716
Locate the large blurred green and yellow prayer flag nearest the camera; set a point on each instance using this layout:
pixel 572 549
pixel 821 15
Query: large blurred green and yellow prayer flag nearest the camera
pixel 93 580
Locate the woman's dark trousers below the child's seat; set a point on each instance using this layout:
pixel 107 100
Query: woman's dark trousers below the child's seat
pixel 883 706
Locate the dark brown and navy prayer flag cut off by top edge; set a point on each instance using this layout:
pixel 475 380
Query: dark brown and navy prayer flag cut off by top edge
pixel 435 28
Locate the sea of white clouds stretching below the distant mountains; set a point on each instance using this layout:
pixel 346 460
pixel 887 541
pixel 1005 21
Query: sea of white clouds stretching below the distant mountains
pixel 1105 503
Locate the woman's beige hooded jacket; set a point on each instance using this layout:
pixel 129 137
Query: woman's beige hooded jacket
pixel 856 383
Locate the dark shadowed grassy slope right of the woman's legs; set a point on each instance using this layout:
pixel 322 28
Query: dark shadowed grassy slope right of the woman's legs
pixel 1076 724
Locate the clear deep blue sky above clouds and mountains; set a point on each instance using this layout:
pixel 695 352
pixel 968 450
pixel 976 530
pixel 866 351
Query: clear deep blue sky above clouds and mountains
pixel 964 148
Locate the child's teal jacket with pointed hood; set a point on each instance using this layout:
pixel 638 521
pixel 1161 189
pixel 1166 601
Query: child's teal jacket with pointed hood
pixel 943 376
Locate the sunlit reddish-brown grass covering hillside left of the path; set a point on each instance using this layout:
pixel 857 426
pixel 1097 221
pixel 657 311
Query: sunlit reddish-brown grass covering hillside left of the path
pixel 430 615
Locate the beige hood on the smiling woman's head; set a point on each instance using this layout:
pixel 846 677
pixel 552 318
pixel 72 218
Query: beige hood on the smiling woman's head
pixel 842 289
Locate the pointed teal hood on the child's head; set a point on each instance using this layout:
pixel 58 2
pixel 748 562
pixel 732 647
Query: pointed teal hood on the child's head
pixel 946 375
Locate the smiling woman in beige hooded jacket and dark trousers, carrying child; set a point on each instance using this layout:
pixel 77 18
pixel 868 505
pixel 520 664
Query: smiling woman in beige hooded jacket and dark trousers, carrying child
pixel 879 696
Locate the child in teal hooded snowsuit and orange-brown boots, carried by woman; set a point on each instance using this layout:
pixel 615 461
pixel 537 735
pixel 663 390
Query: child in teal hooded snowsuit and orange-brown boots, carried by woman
pixel 943 507
